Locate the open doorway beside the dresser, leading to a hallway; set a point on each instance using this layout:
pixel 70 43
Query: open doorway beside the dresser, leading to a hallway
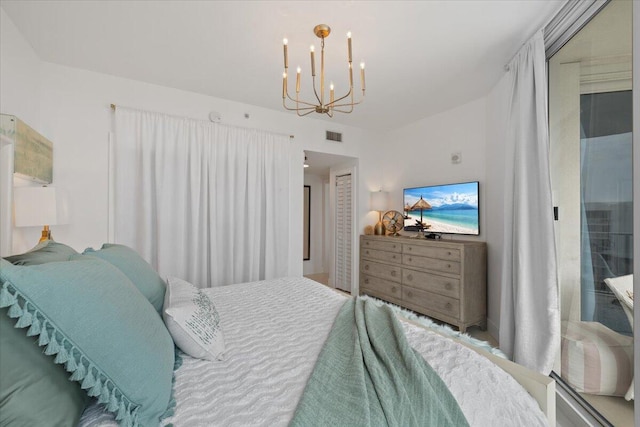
pixel 331 258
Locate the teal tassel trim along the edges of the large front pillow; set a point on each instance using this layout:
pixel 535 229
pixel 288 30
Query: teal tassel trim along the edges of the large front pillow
pixel 82 370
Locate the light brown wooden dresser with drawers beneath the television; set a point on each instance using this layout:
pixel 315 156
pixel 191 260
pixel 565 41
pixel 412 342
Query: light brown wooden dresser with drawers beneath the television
pixel 443 279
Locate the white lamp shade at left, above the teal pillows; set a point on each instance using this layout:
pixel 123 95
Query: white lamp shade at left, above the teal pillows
pixel 35 206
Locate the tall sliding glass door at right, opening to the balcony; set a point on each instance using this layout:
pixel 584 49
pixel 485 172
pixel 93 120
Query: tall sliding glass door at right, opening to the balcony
pixel 590 116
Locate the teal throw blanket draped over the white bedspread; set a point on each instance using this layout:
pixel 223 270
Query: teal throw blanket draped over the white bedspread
pixel 367 374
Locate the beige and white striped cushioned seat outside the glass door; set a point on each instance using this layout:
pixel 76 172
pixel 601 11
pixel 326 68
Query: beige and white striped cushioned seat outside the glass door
pixel 595 359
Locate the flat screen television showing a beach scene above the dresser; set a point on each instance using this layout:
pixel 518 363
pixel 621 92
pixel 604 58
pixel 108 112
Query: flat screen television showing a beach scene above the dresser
pixel 443 209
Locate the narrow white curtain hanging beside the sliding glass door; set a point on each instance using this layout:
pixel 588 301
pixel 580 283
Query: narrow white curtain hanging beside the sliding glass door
pixel 529 316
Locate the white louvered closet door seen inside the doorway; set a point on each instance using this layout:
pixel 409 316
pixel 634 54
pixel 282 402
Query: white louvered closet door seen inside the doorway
pixel 343 233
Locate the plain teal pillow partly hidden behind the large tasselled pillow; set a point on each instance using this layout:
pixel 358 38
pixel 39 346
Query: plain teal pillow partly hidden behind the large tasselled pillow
pixel 136 269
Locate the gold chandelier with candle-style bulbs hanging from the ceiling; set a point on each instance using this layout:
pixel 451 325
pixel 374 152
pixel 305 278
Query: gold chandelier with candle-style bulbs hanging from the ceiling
pixel 322 105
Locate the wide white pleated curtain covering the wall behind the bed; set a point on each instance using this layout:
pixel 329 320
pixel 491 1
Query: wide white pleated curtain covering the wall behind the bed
pixel 205 202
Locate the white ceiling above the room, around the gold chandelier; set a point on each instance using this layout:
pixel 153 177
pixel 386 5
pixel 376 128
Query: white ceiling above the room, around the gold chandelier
pixel 422 57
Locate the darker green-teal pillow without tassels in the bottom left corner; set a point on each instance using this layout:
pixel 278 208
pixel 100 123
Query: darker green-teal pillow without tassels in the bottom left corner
pixel 34 391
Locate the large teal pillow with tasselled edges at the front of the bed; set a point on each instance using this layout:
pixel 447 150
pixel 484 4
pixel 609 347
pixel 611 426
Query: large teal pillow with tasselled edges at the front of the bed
pixel 94 320
